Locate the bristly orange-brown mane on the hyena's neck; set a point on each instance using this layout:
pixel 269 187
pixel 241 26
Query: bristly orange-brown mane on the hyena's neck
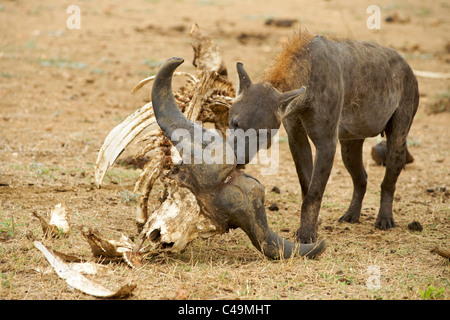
pixel 291 68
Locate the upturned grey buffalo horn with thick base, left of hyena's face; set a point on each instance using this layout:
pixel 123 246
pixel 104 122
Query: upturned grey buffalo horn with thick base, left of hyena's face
pixel 189 137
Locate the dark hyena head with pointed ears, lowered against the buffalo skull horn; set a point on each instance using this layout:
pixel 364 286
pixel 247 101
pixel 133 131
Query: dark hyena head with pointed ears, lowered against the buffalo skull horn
pixel 257 109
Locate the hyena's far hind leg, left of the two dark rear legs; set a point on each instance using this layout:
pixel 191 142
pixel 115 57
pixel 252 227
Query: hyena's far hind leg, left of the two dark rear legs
pixel 352 157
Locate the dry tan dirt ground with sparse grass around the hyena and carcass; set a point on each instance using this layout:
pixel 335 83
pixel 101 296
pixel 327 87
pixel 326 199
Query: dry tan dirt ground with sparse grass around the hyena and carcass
pixel 63 90
